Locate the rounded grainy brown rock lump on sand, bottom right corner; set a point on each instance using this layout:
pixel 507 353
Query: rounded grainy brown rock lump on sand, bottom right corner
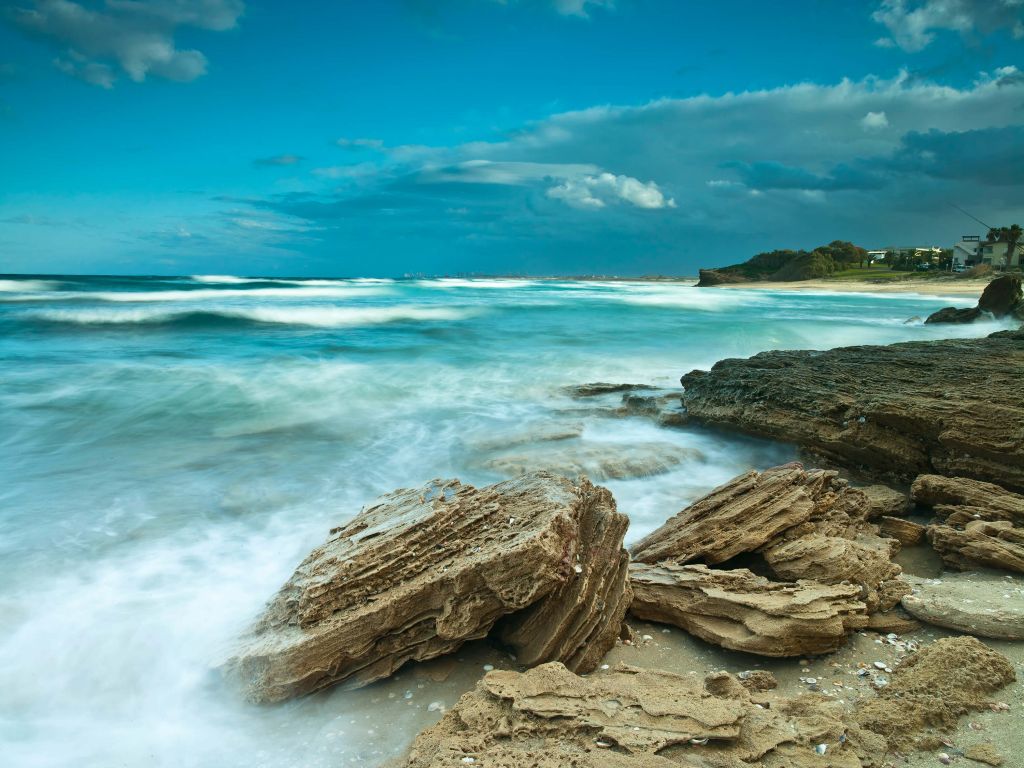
pixel 933 689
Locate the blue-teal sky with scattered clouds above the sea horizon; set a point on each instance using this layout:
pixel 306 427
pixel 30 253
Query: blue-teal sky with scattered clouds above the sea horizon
pixel 381 139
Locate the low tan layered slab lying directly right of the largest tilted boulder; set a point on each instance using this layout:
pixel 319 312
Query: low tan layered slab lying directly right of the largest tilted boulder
pixel 743 612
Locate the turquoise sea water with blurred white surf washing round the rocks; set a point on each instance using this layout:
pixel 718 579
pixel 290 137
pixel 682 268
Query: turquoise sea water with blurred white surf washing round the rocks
pixel 173 448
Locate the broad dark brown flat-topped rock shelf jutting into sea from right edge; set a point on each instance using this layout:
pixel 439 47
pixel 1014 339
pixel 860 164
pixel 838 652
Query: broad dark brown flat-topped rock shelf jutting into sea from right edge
pixel 950 407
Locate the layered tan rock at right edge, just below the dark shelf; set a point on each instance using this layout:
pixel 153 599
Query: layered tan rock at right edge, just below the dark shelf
pixel 977 524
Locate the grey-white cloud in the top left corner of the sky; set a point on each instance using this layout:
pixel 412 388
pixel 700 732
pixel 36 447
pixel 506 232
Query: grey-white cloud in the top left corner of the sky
pixel 137 36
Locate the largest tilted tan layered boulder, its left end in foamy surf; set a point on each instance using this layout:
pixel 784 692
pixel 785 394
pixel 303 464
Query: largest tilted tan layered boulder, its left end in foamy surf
pixel 420 572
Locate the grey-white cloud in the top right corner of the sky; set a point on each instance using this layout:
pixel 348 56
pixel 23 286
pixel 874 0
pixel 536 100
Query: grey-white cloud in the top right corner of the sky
pixel 914 24
